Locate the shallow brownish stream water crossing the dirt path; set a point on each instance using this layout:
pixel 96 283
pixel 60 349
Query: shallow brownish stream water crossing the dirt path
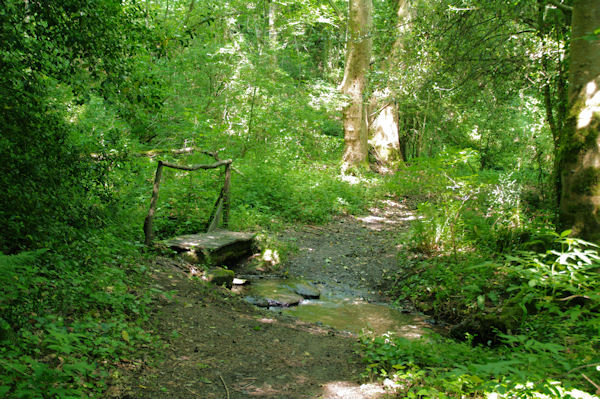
pixel 347 312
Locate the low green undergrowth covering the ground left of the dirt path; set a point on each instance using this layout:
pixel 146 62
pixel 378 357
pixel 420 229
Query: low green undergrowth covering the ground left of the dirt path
pixel 67 321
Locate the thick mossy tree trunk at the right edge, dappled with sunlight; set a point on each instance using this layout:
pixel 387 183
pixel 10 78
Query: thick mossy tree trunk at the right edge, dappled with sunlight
pixel 580 152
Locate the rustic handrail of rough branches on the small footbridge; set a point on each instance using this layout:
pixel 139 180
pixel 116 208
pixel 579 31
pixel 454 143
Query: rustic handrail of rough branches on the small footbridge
pixel 221 206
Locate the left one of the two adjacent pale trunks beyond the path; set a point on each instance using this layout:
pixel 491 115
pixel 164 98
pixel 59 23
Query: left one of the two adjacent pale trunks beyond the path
pixel 358 55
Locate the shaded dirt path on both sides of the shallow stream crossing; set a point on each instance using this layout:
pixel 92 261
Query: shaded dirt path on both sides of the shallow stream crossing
pixel 221 347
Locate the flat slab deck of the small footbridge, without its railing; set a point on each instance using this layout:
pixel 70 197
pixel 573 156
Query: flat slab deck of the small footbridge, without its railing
pixel 216 247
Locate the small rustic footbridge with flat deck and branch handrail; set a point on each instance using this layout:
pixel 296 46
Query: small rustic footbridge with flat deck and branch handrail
pixel 213 246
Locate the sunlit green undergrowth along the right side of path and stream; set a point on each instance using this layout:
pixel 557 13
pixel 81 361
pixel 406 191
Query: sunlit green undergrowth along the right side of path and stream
pixel 523 299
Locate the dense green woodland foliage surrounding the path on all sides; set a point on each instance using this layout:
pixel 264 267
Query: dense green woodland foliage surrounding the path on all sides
pixel 90 88
